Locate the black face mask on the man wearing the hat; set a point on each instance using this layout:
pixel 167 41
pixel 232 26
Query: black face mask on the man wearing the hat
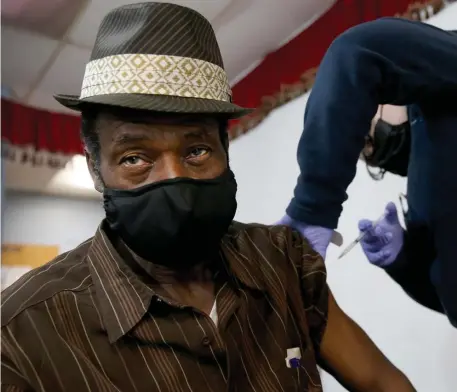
pixel 177 222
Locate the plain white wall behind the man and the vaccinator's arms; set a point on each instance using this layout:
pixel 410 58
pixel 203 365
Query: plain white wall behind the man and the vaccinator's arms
pixel 417 340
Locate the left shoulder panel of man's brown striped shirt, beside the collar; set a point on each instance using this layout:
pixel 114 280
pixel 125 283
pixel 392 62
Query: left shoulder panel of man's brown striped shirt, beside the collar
pixel 67 272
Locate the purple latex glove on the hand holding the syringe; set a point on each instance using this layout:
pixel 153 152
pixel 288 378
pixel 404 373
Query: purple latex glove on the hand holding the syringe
pixel 383 243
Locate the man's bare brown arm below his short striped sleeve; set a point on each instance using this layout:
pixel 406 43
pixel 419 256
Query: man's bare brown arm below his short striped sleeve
pixel 348 354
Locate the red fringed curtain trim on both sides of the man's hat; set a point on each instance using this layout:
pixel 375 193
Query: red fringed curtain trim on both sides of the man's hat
pixel 56 132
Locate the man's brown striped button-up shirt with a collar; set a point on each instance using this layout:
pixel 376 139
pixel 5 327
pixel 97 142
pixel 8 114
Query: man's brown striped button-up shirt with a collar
pixel 87 321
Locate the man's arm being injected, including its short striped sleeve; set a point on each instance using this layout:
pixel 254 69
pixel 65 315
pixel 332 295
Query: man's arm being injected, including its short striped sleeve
pixel 341 347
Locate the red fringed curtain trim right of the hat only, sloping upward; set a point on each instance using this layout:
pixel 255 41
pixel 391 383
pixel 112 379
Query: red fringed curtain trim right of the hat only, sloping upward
pixel 287 65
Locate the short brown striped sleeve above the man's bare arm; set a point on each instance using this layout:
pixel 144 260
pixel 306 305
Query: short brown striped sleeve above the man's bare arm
pixel 313 282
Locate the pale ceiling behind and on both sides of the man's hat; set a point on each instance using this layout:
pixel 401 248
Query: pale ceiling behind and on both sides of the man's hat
pixel 46 43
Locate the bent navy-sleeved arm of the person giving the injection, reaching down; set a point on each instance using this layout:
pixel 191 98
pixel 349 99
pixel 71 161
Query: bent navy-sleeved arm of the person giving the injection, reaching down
pixel 389 60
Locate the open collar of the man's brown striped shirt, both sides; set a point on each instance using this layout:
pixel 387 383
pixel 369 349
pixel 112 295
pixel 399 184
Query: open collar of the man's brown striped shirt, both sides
pixel 125 299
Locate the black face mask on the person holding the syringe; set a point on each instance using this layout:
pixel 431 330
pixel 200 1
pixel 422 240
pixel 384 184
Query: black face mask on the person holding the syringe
pixel 391 148
